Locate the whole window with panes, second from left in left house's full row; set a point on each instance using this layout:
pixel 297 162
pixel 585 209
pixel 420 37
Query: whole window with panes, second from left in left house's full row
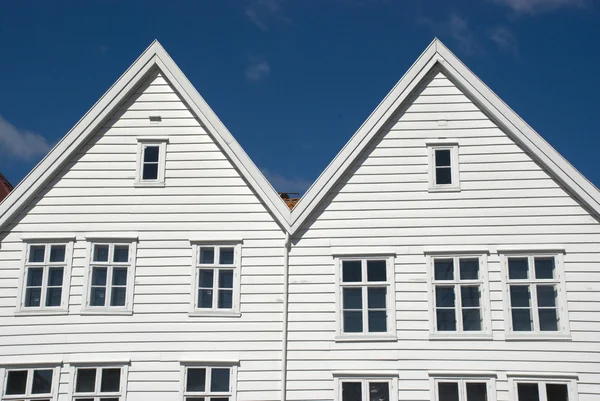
pixel 110 276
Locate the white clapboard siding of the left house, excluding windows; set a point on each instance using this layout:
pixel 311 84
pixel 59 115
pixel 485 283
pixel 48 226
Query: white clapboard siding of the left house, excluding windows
pixel 204 196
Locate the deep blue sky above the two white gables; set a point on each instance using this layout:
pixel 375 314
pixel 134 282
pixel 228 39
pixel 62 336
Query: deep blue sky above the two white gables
pixel 293 80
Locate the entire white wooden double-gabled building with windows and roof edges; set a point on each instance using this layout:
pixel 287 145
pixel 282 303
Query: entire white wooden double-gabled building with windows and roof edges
pixel 447 253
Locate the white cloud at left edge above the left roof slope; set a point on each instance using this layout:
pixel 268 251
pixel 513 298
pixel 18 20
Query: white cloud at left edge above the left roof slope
pixel 20 144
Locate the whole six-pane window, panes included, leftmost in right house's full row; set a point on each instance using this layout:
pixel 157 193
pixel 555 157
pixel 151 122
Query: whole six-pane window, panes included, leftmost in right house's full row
pixel 366 296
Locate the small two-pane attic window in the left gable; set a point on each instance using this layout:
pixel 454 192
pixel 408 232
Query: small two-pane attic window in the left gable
pixel 151 161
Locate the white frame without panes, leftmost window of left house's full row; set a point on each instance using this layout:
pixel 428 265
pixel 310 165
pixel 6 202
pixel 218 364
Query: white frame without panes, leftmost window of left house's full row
pixel 21 309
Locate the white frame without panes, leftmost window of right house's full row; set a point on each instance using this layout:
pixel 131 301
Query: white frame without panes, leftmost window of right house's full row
pixel 390 334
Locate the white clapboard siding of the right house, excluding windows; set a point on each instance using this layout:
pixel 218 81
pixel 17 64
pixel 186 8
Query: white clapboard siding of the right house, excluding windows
pixel 506 199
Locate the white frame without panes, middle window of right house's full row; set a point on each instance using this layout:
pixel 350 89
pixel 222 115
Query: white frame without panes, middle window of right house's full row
pixel 483 281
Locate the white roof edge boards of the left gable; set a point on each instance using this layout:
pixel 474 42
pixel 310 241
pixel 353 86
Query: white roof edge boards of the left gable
pixel 154 56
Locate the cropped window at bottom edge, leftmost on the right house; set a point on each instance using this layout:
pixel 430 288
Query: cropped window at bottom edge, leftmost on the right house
pixel 366 389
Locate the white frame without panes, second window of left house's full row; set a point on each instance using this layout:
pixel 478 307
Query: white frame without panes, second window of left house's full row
pixel 86 308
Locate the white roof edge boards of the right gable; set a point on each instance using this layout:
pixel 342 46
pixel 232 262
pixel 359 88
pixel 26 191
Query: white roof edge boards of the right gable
pixel 438 56
